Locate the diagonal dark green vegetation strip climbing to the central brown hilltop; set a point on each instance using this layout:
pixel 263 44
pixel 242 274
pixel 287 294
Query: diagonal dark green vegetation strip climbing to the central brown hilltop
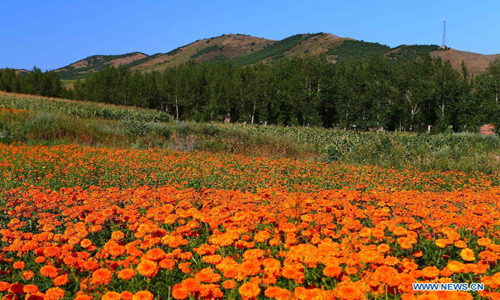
pixel 275 49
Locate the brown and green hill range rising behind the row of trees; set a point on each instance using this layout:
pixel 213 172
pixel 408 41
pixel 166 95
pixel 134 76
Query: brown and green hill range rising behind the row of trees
pixel 244 50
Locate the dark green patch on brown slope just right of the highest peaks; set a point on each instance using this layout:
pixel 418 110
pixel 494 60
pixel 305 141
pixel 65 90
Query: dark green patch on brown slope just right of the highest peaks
pixel 358 49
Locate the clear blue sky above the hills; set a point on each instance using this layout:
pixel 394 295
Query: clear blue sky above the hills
pixel 52 34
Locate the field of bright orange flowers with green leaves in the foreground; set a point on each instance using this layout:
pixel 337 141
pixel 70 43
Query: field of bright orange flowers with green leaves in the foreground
pixel 98 223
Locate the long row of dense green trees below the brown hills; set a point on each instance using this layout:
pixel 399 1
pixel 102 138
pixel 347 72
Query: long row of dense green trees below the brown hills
pixel 308 91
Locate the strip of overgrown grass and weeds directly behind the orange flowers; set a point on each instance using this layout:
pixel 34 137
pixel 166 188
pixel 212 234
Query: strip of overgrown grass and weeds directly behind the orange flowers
pixel 465 152
